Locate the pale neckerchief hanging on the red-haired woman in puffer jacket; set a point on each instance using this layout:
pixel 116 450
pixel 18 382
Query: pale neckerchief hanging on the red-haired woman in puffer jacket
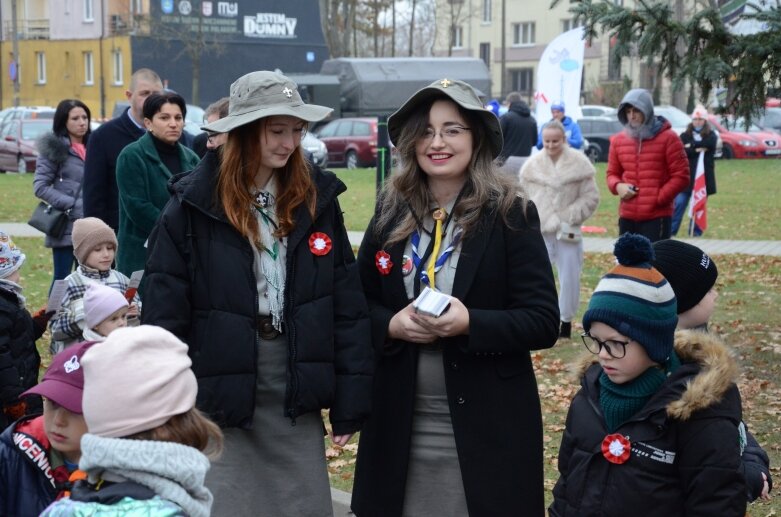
pixel 273 270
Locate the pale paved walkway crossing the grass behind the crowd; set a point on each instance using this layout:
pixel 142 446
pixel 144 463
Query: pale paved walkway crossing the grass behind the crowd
pixel 590 244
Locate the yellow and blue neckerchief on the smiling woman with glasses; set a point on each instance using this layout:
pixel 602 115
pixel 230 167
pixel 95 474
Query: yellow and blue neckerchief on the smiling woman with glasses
pixel 442 220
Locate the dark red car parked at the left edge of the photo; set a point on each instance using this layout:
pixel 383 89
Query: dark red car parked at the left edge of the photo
pixel 17 144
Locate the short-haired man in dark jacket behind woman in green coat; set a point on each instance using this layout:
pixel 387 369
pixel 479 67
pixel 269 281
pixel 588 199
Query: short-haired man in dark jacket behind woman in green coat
pixel 100 195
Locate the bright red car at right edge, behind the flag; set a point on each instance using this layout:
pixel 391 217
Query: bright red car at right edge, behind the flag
pixel 738 143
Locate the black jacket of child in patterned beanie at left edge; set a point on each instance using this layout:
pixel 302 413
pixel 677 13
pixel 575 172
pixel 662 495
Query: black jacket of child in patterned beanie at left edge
pixel 19 359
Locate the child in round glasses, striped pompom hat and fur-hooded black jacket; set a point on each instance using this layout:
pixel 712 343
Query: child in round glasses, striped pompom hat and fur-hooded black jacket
pixel 657 414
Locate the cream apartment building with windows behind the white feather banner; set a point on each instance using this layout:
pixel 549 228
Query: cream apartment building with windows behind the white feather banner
pixel 473 28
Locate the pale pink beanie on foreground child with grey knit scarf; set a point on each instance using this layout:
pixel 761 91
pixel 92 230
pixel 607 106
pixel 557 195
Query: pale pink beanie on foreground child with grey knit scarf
pixel 136 380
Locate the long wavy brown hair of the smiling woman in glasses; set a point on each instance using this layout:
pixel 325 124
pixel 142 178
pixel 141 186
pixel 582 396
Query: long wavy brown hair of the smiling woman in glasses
pixel 486 188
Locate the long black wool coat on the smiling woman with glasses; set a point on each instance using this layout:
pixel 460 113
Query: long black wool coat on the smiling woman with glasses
pixel 505 280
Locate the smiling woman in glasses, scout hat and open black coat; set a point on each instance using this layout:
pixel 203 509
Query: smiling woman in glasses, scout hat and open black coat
pixel 456 427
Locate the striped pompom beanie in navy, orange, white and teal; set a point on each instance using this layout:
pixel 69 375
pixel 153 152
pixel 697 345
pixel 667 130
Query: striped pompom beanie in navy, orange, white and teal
pixel 635 299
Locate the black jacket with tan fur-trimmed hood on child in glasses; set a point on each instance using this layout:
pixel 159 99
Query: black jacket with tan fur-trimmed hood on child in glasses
pixel 685 452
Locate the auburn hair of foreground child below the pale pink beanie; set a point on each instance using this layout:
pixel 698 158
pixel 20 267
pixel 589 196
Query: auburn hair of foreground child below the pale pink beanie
pixel 191 428
